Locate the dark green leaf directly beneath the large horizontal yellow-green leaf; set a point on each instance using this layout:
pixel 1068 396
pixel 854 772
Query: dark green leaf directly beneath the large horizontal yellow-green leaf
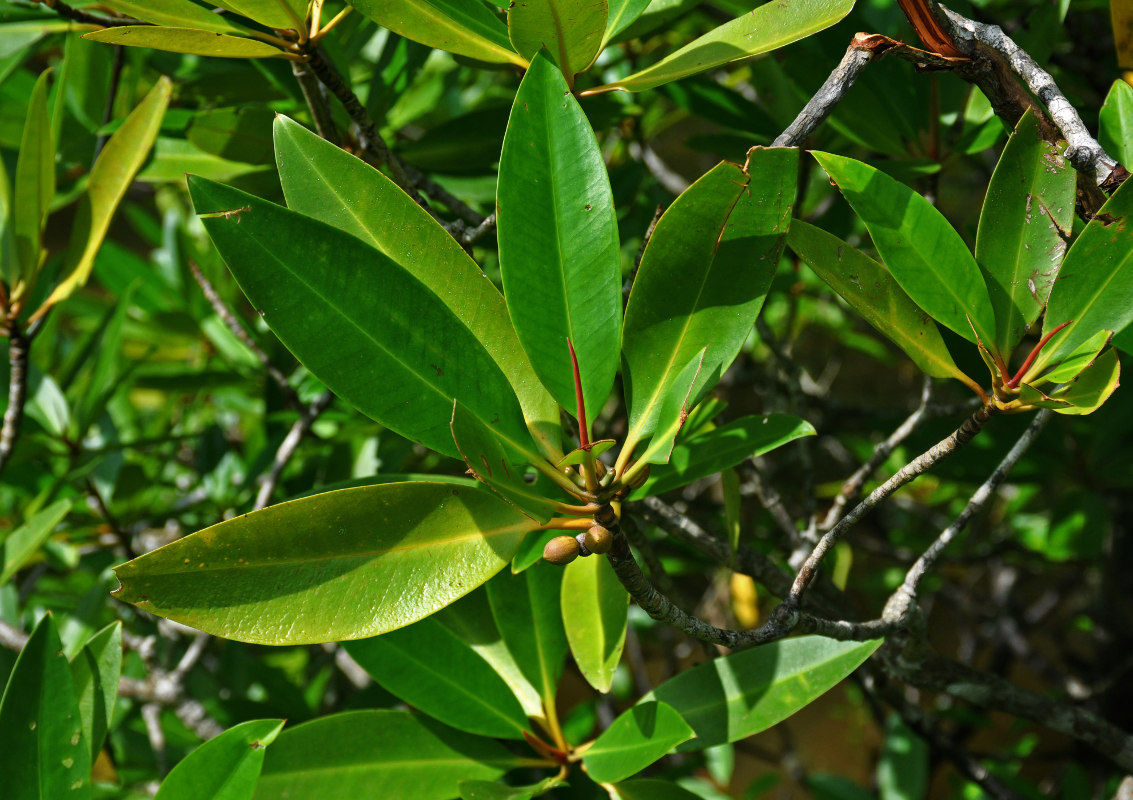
pixel 433 670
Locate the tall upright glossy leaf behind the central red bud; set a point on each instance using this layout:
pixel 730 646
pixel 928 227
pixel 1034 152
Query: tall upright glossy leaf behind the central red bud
pixel 559 251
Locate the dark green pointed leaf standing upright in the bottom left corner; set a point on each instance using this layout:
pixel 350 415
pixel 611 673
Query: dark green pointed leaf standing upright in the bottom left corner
pixel 41 731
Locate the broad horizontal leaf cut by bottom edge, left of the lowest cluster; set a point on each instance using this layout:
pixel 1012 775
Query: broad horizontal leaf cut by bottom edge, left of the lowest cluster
pixel 378 754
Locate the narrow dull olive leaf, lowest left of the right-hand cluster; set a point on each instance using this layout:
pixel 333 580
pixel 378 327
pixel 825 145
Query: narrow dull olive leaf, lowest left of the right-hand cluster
pixel 870 288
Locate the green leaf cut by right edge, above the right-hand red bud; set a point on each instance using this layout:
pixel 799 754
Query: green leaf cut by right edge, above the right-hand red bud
pixel 1095 283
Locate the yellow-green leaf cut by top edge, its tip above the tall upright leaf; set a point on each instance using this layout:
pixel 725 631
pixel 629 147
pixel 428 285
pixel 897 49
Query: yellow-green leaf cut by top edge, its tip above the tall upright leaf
pixel 465 28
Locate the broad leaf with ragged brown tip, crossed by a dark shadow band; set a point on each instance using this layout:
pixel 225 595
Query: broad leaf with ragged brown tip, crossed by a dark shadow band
pixel 704 277
